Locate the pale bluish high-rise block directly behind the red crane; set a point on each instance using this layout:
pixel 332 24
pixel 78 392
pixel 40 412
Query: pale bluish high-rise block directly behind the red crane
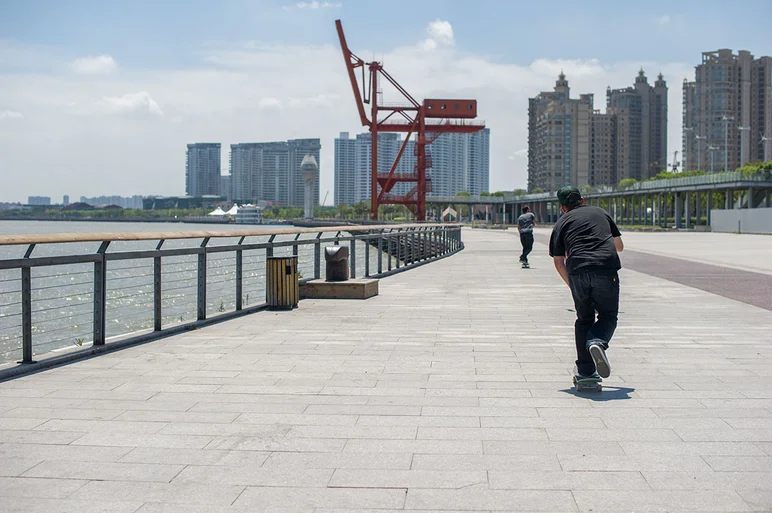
pixel 459 162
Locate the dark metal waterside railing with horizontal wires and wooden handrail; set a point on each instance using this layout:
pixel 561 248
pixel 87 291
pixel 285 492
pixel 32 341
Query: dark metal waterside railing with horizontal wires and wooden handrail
pixel 67 290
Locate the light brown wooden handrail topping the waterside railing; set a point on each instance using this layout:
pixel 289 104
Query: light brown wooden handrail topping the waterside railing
pixel 15 240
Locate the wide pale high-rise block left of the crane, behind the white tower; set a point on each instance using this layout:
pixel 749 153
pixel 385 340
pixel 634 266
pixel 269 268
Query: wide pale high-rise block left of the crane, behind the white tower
pixel 271 171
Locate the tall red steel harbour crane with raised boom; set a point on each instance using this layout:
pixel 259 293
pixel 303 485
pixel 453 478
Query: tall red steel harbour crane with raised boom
pixel 427 120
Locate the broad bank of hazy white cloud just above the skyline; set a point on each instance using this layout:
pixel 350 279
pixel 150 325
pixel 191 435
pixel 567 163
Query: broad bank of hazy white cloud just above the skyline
pixel 260 92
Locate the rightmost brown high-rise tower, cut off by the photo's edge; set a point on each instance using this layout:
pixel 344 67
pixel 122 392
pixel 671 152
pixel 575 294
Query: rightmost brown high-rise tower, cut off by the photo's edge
pixel 727 111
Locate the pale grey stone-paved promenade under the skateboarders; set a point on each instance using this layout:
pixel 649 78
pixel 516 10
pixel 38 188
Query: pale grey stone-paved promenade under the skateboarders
pixel 448 392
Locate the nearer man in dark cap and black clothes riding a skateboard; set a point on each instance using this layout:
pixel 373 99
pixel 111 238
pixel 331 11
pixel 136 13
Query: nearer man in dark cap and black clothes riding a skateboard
pixel 584 245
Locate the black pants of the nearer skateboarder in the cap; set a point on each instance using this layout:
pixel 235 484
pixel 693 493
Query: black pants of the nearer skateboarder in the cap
pixel 593 292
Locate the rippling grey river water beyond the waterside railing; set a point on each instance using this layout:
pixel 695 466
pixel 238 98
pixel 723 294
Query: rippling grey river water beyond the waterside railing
pixel 62 296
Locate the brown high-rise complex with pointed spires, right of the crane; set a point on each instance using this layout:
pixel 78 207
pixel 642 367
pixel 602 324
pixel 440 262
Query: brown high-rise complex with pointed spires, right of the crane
pixel 570 143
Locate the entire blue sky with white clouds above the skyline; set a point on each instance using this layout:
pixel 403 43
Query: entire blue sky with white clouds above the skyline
pixel 100 97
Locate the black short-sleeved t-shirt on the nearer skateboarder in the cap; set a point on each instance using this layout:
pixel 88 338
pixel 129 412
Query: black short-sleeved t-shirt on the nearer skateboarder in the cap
pixel 585 235
